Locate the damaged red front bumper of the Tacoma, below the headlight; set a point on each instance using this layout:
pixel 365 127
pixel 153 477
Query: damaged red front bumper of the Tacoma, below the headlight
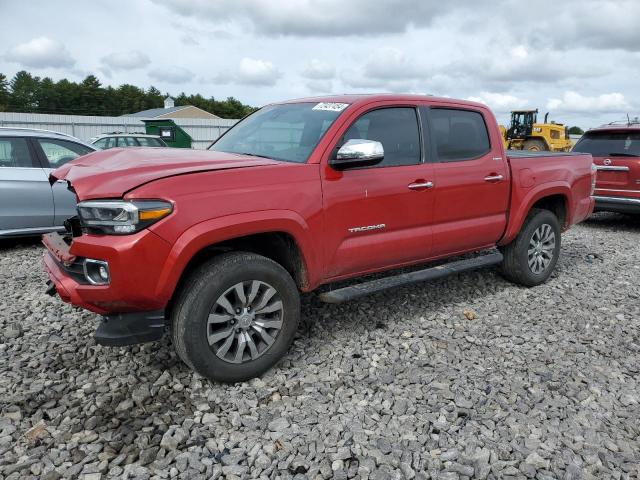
pixel 131 310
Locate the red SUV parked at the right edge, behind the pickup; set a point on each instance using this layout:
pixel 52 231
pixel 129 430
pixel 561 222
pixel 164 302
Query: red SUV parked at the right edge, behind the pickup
pixel 616 153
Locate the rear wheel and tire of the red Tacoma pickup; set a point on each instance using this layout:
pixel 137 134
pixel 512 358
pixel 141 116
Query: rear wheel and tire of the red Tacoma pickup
pixel 540 225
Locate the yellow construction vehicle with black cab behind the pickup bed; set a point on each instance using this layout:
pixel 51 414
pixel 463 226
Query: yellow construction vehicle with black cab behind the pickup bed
pixel 524 133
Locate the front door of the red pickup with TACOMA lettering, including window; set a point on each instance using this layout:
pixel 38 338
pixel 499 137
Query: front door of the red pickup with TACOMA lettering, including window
pixel 379 216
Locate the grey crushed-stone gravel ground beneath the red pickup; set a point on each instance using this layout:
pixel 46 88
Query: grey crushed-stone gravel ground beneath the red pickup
pixel 468 377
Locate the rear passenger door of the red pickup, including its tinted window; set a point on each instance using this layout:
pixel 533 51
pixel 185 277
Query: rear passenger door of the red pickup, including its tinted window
pixel 471 181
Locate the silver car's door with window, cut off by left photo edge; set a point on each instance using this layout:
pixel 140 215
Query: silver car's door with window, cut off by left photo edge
pixel 26 201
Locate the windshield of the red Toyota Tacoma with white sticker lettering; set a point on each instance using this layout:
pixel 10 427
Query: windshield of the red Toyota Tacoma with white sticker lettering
pixel 286 132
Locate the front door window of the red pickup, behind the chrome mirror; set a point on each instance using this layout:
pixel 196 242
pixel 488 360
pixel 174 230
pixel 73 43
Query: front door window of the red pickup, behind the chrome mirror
pixel 396 128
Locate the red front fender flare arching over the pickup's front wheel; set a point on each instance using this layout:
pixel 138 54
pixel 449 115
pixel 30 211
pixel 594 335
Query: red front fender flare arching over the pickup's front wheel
pixel 217 230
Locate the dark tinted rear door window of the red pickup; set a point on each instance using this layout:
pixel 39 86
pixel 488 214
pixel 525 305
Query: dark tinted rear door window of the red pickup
pixel 458 134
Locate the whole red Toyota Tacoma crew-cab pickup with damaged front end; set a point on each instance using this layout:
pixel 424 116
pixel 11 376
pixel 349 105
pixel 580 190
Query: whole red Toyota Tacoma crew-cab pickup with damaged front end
pixel 216 245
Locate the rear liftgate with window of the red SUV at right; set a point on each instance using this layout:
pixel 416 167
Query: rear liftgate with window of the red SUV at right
pixel 616 154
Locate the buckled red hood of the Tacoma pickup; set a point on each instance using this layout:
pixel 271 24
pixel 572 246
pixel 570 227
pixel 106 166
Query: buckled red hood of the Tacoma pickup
pixel 112 173
